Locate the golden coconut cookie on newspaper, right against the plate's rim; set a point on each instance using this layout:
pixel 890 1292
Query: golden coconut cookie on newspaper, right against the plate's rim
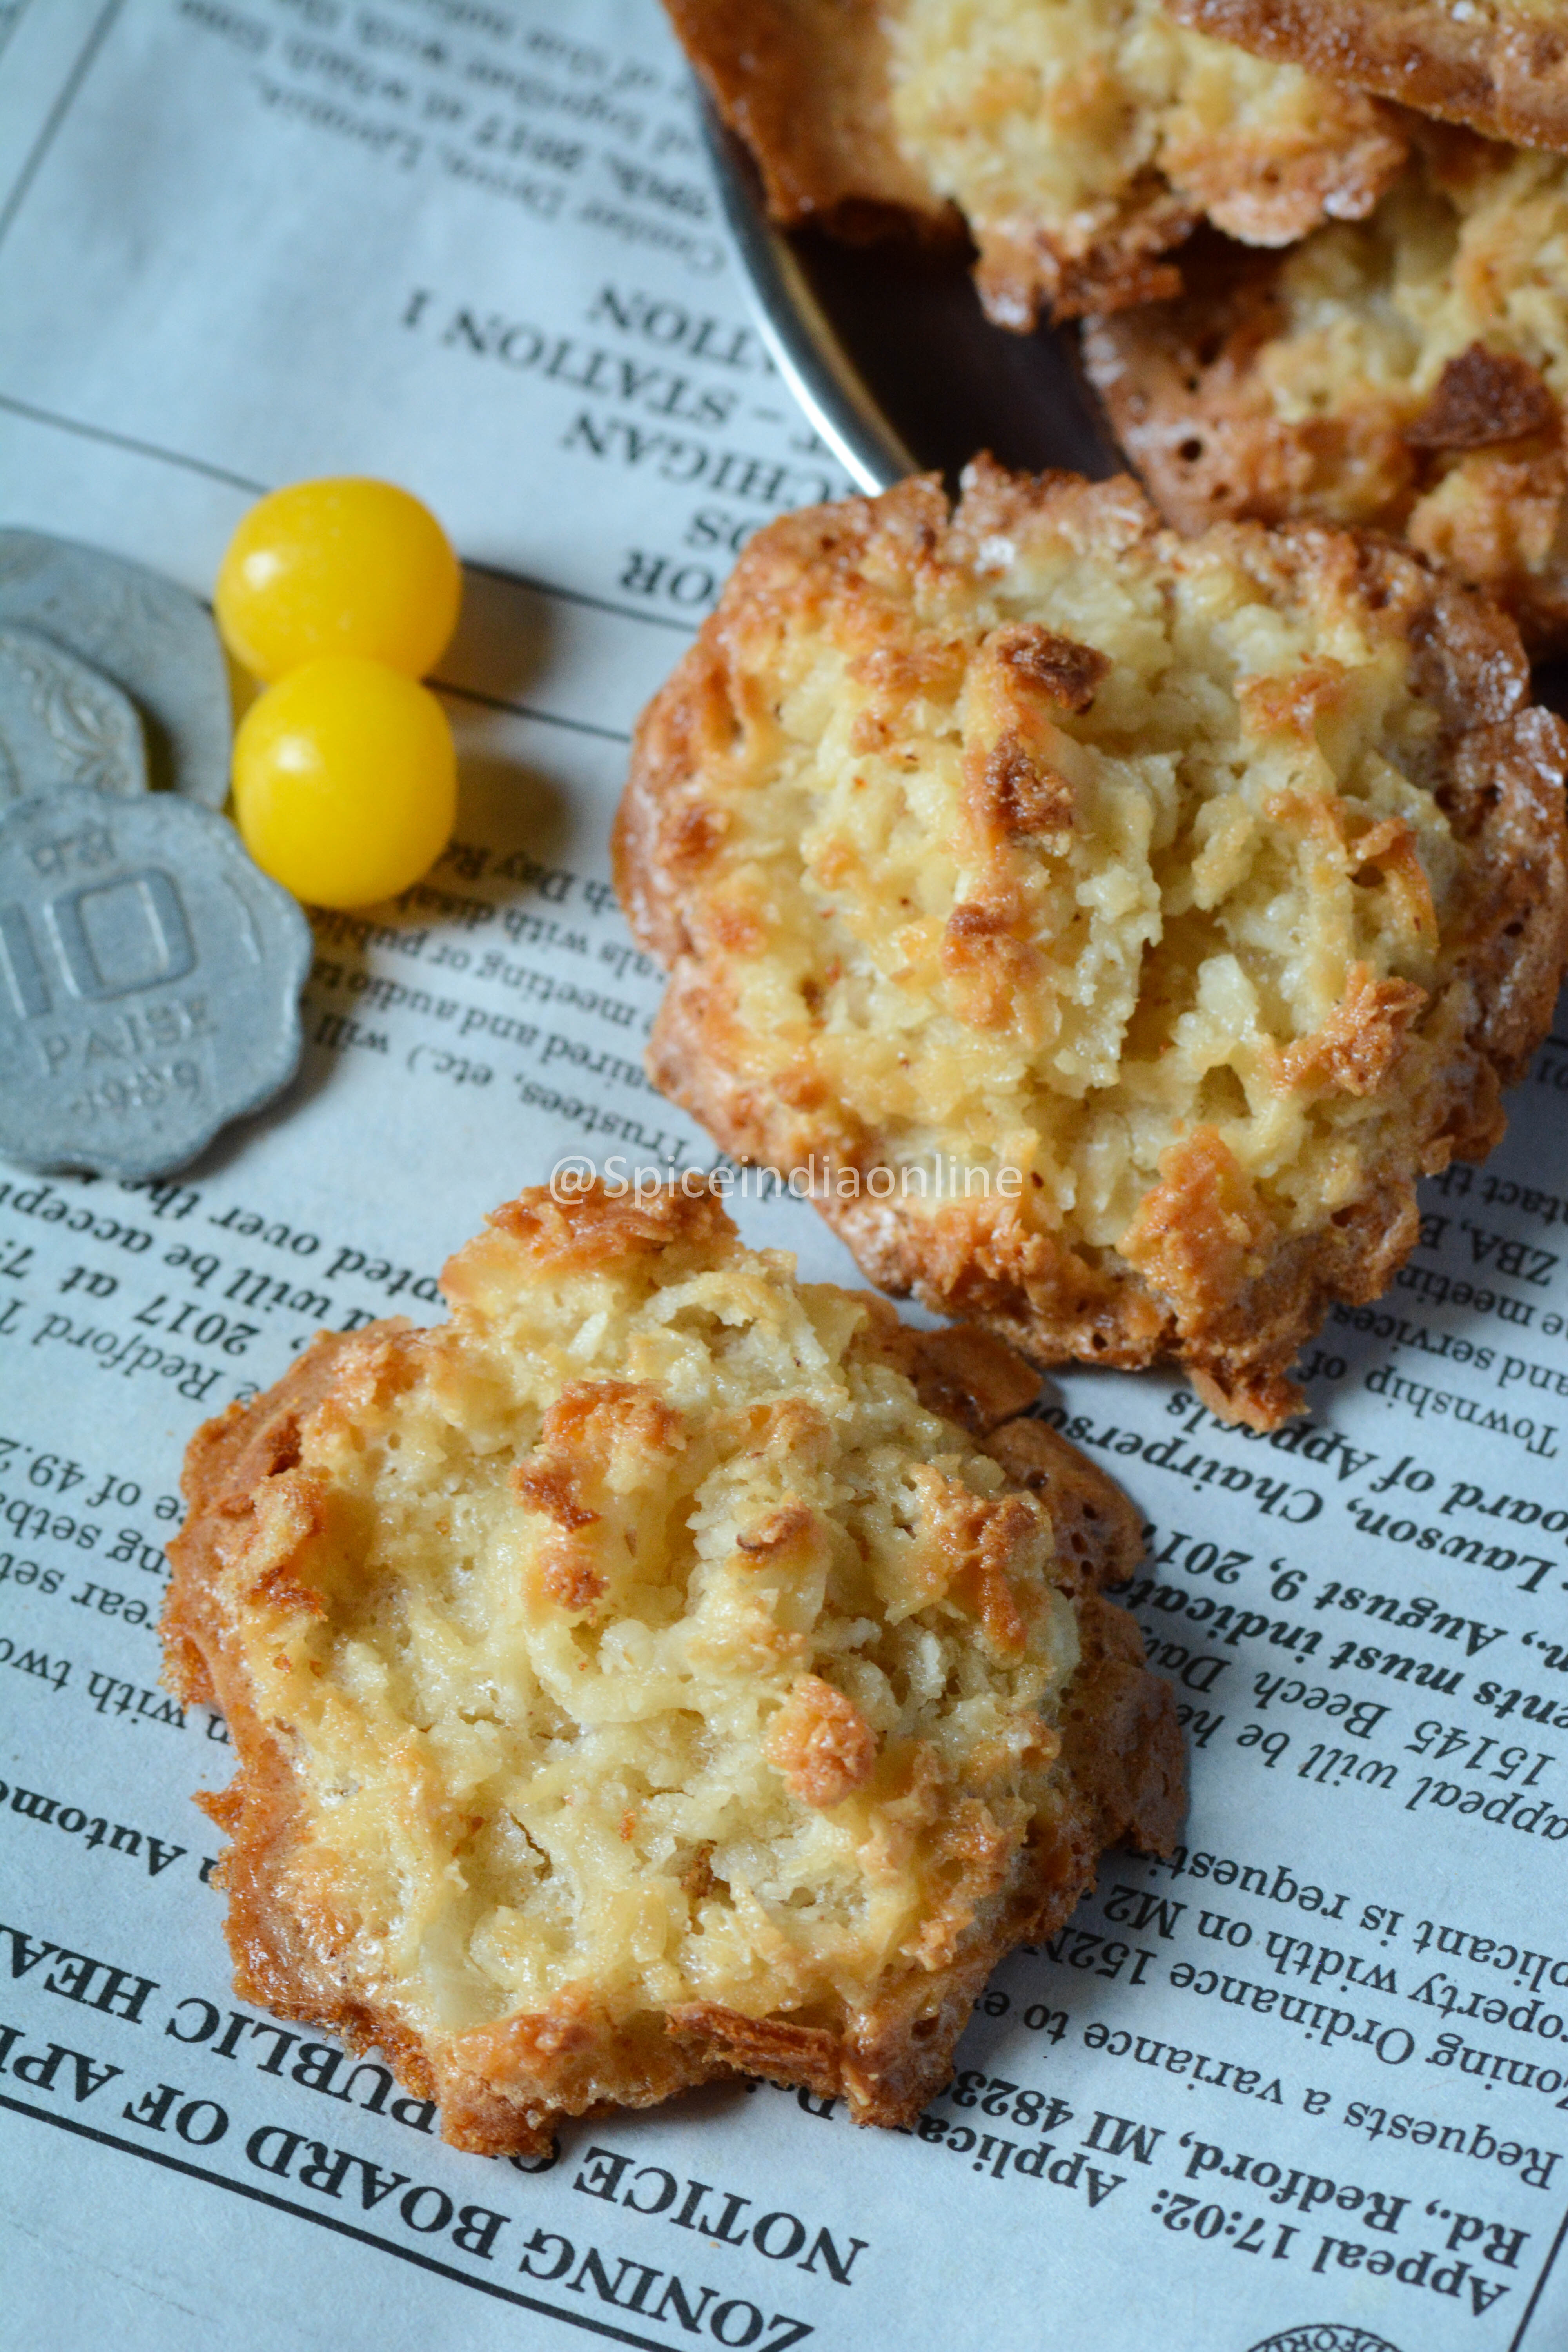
pixel 1113 926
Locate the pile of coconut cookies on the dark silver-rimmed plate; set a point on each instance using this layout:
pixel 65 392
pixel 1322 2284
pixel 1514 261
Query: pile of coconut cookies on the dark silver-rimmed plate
pixel 1315 279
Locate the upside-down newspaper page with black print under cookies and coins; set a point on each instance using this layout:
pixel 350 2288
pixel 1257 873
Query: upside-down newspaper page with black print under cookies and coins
pixel 1301 2087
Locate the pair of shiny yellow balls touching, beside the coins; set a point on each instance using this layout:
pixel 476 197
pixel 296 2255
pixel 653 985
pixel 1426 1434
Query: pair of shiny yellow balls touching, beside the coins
pixel 347 594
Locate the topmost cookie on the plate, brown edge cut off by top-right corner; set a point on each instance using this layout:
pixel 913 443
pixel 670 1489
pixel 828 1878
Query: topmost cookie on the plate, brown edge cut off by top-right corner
pixel 1496 65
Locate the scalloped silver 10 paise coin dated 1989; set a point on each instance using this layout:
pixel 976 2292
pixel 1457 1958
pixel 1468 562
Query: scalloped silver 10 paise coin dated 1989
pixel 149 982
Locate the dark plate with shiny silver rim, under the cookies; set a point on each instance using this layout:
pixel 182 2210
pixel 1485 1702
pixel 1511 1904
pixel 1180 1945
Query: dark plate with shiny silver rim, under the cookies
pixel 894 361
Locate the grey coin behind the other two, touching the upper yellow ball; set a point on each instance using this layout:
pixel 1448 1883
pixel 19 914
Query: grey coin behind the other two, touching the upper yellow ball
pixel 147 636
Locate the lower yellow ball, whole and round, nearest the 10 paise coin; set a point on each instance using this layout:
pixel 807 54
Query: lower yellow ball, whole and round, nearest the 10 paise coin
pixel 344 782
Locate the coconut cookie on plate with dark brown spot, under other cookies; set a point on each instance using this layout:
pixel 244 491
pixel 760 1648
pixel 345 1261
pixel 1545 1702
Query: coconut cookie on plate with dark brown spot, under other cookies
pixel 1405 373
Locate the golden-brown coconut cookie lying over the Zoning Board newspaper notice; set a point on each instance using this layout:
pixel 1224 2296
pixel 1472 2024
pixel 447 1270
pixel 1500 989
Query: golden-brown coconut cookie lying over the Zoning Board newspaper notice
pixel 659 1671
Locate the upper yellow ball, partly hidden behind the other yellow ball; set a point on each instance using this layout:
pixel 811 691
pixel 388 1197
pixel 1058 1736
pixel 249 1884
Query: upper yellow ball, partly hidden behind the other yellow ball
pixel 340 568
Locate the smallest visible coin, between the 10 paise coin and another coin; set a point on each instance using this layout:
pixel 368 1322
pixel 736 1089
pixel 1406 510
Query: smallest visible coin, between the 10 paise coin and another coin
pixel 62 723
